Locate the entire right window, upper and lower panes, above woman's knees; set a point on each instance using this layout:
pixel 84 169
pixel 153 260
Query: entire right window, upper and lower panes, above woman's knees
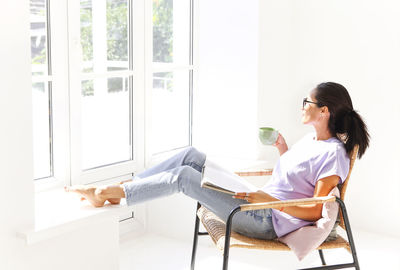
pixel 172 74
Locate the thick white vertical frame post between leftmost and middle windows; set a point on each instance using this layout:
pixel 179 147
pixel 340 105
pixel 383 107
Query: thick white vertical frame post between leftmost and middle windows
pixel 59 110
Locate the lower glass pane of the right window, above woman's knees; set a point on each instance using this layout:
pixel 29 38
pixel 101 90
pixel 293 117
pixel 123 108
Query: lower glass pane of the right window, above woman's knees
pixel 170 111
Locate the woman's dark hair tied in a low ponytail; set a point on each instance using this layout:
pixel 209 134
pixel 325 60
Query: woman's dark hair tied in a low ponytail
pixel 344 123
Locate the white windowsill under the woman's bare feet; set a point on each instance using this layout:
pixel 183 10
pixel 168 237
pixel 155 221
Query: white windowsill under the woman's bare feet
pixel 58 212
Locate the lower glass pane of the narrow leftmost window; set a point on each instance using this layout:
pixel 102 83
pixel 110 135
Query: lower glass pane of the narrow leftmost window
pixel 41 130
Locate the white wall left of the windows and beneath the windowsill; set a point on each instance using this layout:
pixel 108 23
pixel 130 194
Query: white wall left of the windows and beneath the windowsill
pixel 16 168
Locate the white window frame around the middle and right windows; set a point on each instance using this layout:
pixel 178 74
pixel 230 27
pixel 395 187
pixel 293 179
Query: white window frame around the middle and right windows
pixel 65 41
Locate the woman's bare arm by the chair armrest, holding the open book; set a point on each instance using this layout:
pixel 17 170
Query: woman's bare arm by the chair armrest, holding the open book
pixel 311 212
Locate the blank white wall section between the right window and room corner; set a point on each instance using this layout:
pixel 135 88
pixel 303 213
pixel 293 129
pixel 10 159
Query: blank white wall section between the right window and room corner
pixel 225 115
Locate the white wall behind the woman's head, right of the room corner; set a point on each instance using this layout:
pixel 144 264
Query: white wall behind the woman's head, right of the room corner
pixel 355 43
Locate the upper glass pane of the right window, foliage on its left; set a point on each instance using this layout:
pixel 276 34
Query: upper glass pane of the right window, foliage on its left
pixel 171 31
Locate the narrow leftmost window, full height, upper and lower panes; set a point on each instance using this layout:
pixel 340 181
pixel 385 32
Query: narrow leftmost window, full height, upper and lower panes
pixel 41 89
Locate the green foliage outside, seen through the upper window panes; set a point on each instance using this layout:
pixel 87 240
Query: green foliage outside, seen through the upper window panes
pixel 117 38
